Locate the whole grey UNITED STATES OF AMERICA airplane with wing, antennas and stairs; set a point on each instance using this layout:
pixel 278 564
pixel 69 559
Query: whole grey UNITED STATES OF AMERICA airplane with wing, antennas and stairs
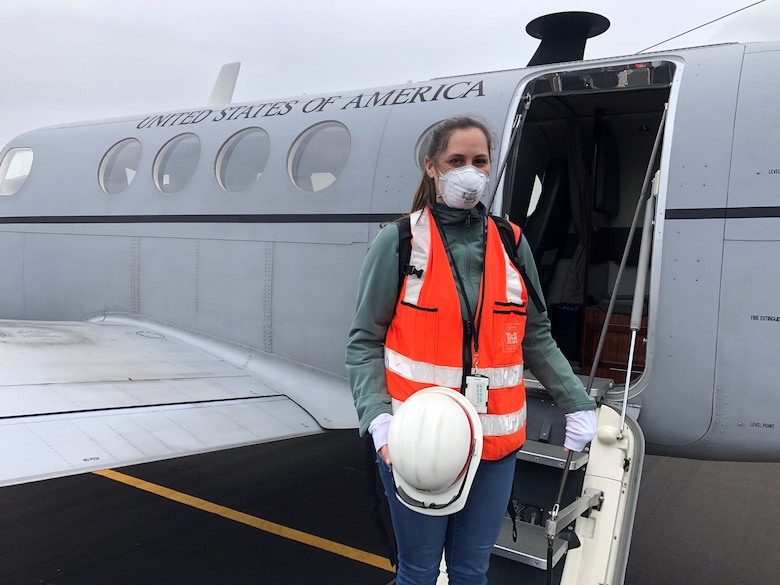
pixel 184 281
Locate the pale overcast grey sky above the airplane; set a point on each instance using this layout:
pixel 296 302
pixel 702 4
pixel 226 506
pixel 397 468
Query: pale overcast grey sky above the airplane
pixel 70 60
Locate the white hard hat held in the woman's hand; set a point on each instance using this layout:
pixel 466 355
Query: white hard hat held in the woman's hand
pixel 435 443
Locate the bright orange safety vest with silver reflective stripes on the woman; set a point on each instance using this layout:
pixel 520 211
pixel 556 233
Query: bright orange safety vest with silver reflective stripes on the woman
pixel 427 345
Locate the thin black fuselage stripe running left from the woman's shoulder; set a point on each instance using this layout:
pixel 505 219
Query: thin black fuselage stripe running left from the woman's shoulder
pixel 204 218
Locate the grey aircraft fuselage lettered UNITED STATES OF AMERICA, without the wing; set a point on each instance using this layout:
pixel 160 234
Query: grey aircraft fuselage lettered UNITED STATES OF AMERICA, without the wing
pixel 248 222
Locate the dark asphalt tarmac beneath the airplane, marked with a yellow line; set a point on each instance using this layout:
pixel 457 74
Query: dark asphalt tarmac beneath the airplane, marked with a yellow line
pixel 297 512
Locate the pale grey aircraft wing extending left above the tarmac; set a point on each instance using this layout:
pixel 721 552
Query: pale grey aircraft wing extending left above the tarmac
pixel 80 396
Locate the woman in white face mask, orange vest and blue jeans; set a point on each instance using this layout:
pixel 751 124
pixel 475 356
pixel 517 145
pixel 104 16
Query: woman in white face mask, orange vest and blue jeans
pixel 450 320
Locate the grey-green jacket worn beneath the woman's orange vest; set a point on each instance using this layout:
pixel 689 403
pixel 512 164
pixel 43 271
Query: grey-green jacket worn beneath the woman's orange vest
pixel 377 297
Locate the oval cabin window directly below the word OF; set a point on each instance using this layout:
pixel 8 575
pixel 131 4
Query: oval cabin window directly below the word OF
pixel 318 156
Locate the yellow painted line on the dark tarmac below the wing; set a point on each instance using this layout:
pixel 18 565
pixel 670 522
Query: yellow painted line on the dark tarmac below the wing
pixel 270 527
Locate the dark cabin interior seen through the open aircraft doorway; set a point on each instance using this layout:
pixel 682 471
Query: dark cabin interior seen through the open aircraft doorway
pixel 577 171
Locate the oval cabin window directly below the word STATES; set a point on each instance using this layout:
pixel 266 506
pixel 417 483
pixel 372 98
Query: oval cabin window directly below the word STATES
pixel 242 159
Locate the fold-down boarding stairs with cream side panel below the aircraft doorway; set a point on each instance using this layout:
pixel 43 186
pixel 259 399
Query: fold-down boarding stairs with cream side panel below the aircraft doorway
pixel 597 504
